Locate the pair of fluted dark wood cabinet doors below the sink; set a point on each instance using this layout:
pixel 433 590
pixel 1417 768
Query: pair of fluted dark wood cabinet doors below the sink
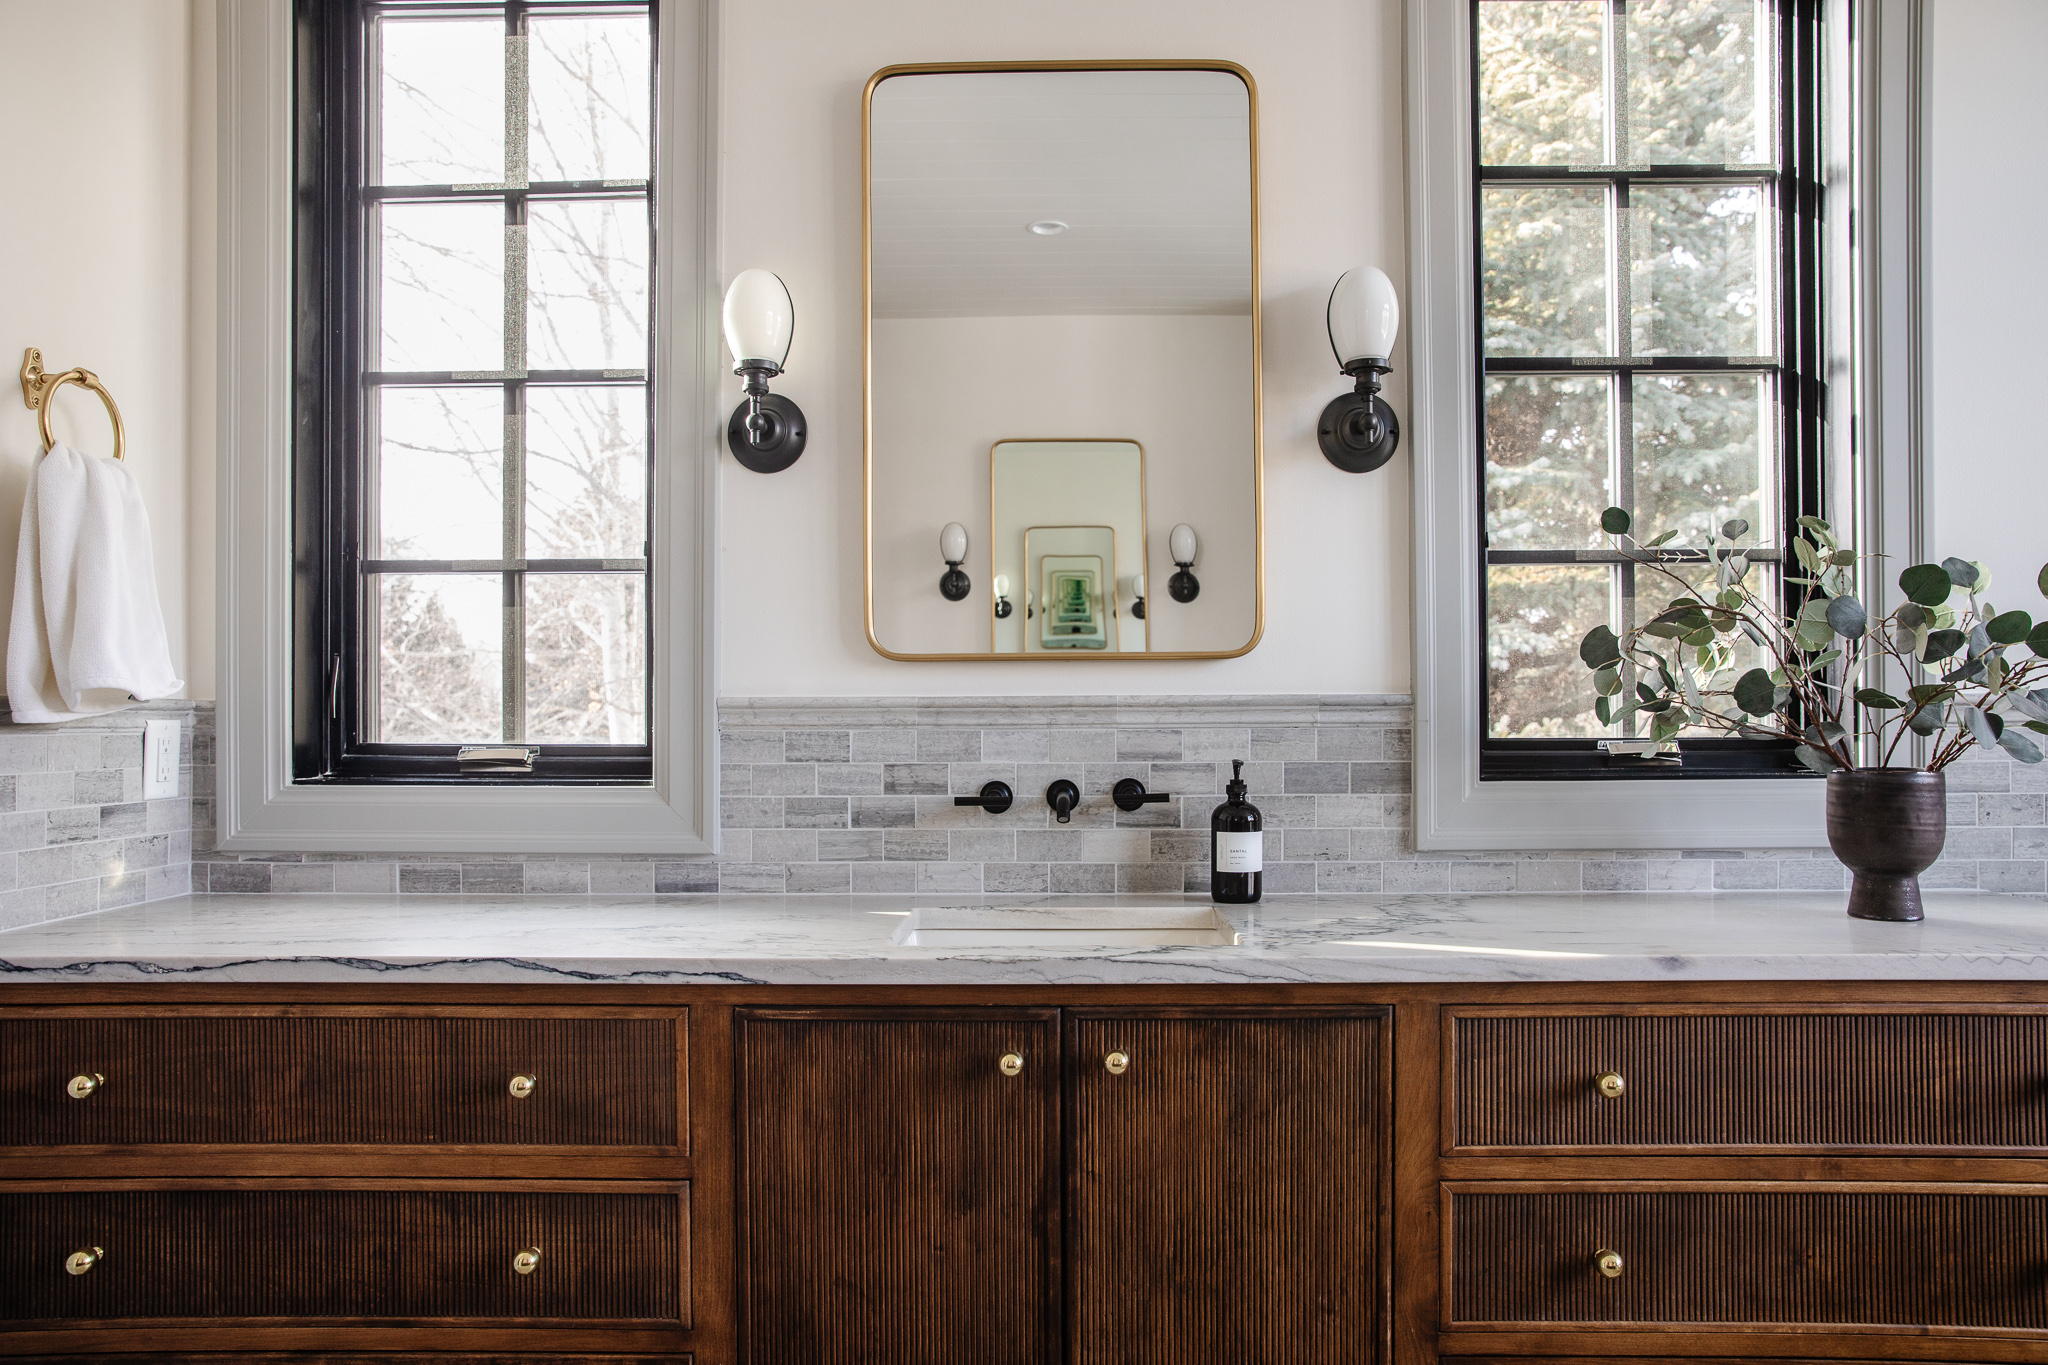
pixel 1224 1198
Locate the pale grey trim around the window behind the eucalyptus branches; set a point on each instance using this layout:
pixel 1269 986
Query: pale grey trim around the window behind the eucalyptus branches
pixel 1883 484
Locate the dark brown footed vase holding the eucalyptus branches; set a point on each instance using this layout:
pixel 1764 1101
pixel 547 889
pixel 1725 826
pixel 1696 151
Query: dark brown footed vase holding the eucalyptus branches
pixel 1887 828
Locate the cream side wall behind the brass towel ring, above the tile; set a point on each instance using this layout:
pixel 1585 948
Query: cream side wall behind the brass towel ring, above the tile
pixel 93 257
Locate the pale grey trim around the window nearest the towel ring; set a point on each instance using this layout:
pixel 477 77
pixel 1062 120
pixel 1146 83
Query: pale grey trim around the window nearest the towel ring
pixel 259 807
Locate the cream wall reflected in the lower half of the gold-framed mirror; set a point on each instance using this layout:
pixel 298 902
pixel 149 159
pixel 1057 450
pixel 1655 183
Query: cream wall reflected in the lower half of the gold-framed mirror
pixel 951 388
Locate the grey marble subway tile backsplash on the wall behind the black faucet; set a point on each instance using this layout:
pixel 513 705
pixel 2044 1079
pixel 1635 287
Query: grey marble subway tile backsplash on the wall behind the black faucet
pixel 855 795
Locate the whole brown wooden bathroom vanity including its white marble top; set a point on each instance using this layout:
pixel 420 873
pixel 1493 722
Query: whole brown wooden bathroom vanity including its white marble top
pixel 1375 1129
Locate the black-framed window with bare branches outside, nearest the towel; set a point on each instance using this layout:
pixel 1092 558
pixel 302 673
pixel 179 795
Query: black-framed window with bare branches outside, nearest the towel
pixel 474 416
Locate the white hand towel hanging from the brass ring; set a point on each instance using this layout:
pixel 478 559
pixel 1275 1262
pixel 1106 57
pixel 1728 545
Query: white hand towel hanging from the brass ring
pixel 89 631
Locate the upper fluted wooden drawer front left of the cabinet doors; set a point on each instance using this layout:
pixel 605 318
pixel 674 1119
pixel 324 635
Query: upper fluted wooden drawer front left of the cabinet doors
pixel 341 1077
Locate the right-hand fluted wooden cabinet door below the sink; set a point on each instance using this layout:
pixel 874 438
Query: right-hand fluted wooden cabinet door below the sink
pixel 1228 1188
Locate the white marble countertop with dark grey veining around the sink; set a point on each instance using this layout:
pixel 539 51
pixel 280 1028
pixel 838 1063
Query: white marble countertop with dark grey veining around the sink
pixel 847 940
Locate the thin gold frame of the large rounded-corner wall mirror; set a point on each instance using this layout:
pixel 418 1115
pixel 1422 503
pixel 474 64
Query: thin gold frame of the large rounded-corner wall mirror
pixel 867 359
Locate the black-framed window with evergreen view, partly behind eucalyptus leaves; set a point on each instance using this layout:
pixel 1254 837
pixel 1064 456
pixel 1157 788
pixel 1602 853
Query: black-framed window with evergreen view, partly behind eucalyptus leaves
pixel 1650 312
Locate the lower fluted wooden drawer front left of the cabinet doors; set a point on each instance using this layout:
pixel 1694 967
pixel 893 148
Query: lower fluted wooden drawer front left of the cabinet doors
pixel 345 1256
